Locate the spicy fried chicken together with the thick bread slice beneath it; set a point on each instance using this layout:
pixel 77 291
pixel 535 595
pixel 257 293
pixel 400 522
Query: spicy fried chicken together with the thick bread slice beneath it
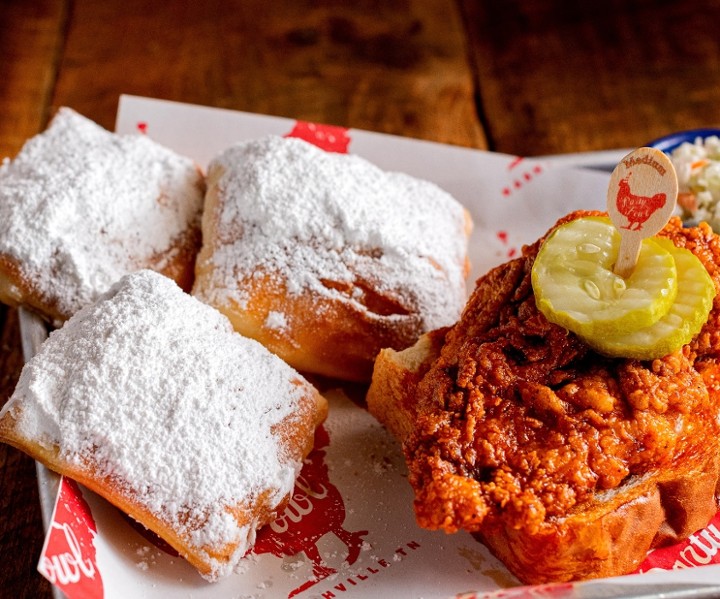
pixel 567 464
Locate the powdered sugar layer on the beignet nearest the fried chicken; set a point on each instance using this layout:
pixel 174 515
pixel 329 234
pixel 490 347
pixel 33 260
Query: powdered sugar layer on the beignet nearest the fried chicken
pixel 313 217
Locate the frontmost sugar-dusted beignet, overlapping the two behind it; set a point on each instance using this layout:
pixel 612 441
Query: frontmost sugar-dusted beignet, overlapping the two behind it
pixel 149 398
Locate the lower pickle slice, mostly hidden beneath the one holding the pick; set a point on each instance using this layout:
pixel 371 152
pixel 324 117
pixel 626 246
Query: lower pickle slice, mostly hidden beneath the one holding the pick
pixel 683 321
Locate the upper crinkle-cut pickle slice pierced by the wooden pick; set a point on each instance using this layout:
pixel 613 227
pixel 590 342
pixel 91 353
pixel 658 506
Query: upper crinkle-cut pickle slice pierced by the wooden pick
pixel 575 285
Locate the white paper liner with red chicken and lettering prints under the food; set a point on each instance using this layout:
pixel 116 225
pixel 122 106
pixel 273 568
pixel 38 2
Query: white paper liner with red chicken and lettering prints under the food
pixel 349 530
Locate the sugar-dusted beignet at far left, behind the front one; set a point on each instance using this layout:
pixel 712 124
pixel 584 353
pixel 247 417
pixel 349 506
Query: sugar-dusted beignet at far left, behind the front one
pixel 80 207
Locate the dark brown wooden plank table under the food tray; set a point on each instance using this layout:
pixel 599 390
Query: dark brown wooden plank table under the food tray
pixel 526 78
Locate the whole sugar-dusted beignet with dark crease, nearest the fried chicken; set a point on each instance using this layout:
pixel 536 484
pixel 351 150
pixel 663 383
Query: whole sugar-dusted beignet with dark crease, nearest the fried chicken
pixel 324 257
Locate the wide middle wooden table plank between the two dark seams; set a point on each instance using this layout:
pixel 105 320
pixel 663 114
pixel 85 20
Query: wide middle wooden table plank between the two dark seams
pixel 399 68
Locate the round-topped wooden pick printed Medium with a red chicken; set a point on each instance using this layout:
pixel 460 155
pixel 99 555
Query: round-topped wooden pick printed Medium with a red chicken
pixel 641 198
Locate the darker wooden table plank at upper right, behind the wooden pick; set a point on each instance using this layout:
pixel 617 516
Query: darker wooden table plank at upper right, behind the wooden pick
pixel 564 76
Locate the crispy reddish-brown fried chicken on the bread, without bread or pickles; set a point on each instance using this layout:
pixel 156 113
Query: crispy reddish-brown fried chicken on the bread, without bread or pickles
pixel 520 424
